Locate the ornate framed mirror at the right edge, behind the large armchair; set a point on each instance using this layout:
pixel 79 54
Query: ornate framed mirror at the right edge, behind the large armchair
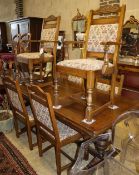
pixel 130 38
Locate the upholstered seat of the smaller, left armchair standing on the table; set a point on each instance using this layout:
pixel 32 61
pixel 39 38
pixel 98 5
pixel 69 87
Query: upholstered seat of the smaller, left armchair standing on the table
pixel 24 57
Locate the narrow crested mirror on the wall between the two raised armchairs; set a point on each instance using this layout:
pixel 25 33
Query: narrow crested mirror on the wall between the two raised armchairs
pixel 78 28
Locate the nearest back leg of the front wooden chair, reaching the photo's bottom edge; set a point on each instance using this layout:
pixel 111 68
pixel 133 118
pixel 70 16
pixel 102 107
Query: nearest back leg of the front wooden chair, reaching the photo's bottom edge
pixel 58 159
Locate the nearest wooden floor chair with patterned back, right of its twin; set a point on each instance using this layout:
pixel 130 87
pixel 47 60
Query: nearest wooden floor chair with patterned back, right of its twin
pixel 48 127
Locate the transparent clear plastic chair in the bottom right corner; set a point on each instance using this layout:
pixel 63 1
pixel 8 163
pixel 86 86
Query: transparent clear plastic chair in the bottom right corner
pixel 120 149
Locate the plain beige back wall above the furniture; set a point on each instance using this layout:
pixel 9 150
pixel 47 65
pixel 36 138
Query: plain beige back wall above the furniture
pixel 65 8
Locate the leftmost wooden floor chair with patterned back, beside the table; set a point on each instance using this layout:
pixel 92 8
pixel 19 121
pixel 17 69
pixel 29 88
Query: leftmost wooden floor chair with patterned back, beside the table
pixel 21 112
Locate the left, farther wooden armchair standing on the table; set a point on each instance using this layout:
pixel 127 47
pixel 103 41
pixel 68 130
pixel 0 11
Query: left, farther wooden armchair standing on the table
pixel 48 47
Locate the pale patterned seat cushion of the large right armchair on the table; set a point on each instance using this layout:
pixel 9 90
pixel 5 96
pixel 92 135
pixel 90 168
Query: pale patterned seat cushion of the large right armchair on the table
pixel 83 64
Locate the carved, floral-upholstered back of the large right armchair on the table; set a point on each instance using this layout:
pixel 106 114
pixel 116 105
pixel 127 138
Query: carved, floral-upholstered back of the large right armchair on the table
pixel 104 25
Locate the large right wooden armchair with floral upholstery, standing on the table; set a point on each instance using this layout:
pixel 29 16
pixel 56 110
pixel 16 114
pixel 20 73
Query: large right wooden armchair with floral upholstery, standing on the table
pixel 100 54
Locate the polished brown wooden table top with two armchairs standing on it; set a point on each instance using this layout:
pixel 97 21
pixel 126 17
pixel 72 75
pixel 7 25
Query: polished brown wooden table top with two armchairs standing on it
pixel 73 111
